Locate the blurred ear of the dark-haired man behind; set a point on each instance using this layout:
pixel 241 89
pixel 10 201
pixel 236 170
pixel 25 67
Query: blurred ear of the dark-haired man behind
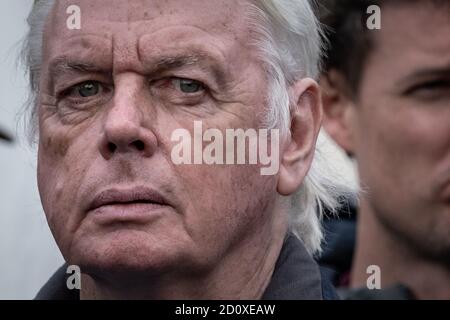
pixel 338 110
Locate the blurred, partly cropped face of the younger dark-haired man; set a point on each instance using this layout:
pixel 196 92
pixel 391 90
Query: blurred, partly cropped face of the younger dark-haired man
pixel 399 126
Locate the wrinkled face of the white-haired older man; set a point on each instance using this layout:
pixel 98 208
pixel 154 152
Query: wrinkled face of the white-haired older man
pixel 112 94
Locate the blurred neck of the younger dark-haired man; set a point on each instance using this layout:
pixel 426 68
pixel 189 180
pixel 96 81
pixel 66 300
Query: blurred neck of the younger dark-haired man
pixel 399 262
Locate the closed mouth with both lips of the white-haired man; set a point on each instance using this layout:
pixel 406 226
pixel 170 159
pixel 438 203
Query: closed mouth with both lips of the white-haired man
pixel 127 205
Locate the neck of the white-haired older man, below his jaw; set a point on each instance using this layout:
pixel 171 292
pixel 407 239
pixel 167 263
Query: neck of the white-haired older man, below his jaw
pixel 243 273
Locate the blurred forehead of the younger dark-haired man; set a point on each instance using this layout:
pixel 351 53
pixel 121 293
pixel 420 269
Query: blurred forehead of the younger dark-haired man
pixel 420 41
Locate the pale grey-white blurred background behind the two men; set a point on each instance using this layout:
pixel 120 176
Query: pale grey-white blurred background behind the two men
pixel 28 253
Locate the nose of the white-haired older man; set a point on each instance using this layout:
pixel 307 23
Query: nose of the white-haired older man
pixel 125 130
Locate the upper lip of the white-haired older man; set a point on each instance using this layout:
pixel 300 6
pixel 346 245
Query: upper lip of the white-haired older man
pixel 117 196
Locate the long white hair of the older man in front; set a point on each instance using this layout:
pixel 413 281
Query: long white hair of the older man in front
pixel 289 43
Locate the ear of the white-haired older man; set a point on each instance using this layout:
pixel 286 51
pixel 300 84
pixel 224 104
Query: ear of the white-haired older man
pixel 298 149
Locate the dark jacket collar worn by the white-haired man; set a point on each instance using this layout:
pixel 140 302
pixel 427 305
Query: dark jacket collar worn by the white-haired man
pixel 296 276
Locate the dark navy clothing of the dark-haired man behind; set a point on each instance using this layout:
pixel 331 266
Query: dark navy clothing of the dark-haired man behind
pixel 337 256
